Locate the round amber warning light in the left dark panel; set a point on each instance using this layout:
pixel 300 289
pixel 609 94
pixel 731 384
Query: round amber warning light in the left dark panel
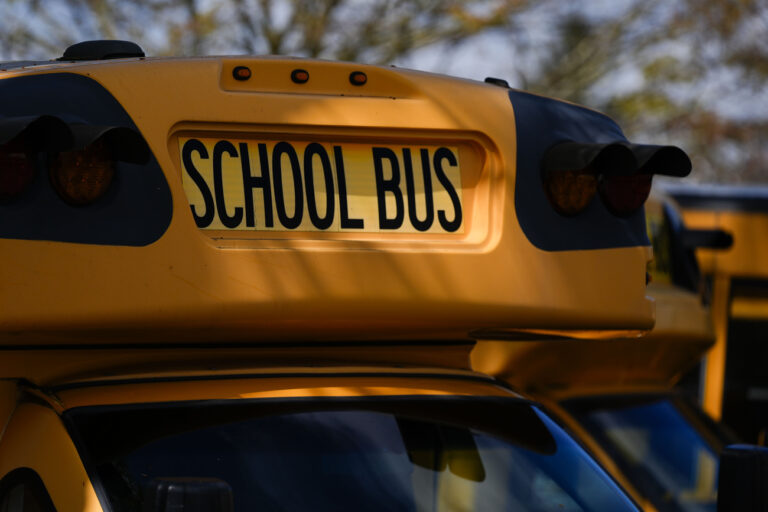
pixel 82 177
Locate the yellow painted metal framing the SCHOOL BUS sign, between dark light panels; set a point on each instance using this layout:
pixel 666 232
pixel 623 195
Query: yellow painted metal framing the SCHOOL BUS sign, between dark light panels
pixel 488 278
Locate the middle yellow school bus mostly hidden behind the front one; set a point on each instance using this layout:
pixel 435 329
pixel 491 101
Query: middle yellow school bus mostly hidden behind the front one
pixel 620 396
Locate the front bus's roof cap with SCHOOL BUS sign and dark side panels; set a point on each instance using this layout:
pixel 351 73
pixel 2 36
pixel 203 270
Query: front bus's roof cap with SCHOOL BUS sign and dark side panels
pixel 194 245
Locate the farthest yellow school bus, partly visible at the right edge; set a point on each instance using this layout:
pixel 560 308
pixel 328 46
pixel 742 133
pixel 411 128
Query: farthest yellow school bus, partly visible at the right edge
pixel 735 377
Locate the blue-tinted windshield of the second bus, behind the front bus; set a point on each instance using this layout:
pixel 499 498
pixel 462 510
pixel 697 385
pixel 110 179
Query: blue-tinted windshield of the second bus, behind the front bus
pixel 666 448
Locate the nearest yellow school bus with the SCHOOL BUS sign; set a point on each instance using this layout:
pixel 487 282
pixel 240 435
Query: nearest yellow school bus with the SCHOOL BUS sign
pixel 254 283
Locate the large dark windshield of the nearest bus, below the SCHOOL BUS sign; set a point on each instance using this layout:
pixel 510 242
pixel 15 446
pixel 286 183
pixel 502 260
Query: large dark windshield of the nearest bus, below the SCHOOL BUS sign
pixel 411 455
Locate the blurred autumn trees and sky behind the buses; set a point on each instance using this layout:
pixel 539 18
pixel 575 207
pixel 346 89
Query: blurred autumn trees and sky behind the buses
pixel 692 72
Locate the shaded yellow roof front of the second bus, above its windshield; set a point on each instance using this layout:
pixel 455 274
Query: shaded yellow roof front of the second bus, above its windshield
pixel 682 334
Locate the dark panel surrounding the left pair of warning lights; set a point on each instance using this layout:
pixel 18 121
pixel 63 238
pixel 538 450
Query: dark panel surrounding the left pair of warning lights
pixel 137 209
